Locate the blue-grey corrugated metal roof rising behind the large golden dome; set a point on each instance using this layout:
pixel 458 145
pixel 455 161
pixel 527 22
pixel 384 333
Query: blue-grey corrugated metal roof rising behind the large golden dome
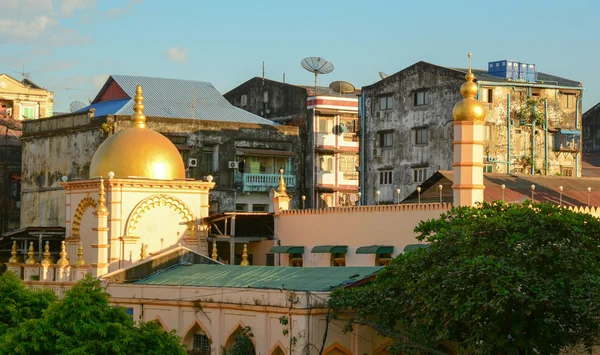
pixel 176 98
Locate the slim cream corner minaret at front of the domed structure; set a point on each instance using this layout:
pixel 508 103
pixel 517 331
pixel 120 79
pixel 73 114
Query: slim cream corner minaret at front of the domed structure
pixel 100 265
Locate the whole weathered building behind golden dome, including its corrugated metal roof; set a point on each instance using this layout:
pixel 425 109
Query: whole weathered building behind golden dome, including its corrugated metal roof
pixel 240 152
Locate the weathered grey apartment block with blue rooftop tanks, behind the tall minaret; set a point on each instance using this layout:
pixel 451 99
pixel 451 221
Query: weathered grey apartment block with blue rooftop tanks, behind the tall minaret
pixel 408 126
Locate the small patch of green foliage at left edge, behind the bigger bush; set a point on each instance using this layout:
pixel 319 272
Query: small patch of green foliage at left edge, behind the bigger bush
pixel 18 303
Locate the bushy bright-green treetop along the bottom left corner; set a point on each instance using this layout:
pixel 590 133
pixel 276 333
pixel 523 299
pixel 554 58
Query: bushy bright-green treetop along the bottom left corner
pixel 84 322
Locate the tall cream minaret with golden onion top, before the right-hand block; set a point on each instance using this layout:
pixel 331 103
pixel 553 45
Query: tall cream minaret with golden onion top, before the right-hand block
pixel 469 135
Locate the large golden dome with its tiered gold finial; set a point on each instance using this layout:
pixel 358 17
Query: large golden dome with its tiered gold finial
pixel 138 151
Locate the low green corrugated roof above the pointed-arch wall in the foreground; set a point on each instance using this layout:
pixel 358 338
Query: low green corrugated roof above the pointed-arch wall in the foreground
pixel 265 277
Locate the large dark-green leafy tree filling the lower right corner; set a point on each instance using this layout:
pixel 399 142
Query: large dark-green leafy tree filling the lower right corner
pixel 500 278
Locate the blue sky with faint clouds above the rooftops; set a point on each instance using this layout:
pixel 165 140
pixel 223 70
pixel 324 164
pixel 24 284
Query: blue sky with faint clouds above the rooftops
pixel 71 46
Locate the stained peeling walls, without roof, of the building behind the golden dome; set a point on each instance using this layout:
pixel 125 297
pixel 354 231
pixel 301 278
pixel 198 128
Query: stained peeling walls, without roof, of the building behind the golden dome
pixel 65 145
